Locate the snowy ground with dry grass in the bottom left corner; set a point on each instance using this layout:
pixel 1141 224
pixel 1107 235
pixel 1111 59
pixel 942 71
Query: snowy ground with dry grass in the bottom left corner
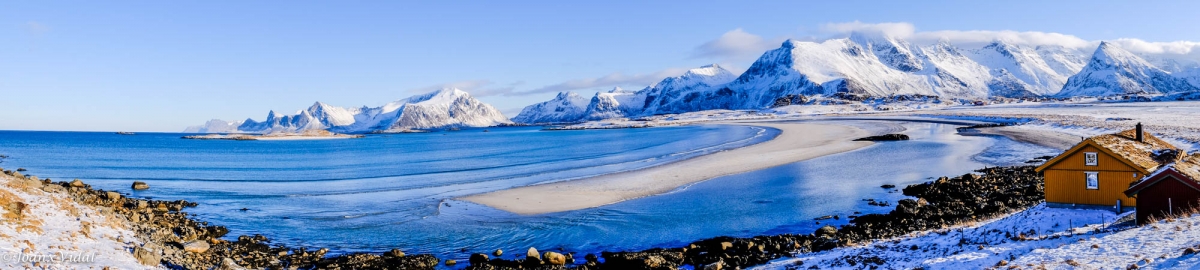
pixel 45 230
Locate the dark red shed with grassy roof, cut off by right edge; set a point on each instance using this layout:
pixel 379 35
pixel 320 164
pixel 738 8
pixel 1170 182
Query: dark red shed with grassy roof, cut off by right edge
pixel 1172 190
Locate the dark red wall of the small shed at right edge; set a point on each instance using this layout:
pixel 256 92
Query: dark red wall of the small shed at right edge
pixel 1154 200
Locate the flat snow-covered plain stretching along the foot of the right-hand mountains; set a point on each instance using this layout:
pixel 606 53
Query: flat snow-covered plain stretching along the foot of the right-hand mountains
pixel 1174 122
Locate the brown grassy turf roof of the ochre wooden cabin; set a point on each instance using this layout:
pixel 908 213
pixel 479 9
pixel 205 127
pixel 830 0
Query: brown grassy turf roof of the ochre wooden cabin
pixel 1125 146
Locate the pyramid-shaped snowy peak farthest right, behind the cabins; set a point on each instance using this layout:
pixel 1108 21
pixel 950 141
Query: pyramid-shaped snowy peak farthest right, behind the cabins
pixel 1115 71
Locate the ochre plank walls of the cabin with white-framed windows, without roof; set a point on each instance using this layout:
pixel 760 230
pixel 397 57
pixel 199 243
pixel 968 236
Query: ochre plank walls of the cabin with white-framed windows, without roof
pixel 1066 181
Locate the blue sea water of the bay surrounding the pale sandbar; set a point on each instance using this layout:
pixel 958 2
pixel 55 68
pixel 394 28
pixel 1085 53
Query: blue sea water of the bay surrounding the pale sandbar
pixel 397 191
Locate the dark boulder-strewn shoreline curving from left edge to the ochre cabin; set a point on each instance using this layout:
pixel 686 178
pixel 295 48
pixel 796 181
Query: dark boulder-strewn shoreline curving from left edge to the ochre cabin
pixel 172 239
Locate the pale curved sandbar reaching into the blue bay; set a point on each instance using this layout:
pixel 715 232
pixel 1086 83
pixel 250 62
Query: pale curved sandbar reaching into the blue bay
pixel 797 142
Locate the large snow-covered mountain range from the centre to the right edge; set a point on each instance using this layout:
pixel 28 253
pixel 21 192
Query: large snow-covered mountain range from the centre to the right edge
pixel 884 67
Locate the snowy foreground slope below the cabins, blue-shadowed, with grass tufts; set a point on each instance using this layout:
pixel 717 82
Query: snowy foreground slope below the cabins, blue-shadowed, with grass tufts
pixel 1039 238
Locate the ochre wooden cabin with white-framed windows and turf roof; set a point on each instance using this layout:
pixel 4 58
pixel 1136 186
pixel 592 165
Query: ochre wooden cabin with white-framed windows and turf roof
pixel 1100 170
